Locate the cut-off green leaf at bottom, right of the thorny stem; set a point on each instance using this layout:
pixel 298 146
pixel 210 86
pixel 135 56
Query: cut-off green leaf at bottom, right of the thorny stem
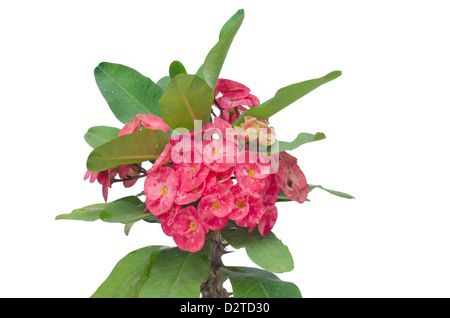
pixel 250 282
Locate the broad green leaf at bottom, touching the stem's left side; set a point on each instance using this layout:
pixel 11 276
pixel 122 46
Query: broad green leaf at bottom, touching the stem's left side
pixel 176 274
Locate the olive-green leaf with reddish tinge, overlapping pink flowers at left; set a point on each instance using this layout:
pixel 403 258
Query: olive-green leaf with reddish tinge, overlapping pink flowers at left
pixel 128 149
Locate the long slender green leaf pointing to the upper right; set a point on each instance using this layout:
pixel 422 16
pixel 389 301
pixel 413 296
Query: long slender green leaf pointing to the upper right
pixel 286 96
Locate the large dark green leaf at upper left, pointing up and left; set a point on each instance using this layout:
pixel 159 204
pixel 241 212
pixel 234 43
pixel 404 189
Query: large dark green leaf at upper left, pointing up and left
pixel 127 91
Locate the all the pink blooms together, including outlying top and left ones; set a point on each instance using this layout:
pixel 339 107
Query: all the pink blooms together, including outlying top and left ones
pixel 204 178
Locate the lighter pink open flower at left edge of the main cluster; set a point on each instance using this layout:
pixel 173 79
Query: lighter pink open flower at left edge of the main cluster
pixel 161 188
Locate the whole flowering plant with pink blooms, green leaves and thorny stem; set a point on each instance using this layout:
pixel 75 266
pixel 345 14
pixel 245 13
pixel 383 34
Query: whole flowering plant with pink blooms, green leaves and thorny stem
pixel 214 172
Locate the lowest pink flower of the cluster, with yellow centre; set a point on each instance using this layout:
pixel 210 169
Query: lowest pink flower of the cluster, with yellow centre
pixel 188 230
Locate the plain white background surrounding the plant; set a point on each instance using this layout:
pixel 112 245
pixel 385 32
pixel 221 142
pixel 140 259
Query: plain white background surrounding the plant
pixel 386 121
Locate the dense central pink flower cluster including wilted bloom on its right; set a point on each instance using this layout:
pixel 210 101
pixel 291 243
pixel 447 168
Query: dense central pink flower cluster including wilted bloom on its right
pixel 199 183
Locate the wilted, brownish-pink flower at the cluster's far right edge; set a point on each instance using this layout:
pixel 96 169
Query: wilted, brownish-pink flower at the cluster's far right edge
pixel 291 179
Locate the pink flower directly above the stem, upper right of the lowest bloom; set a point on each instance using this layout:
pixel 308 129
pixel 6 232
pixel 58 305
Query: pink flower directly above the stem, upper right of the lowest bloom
pixel 215 205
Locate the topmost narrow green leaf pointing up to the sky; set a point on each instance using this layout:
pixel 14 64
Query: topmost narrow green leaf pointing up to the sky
pixel 216 57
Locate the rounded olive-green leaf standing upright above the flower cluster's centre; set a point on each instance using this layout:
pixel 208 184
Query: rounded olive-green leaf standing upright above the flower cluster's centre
pixel 186 98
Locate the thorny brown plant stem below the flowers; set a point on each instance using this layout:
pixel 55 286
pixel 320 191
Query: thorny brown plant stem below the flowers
pixel 213 287
